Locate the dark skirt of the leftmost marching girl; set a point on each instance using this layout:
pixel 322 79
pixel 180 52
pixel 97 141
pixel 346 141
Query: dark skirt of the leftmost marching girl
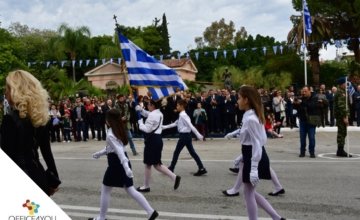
pixel 115 175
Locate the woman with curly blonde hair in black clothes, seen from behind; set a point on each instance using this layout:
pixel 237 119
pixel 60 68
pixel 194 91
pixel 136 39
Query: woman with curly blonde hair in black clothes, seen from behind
pixel 24 129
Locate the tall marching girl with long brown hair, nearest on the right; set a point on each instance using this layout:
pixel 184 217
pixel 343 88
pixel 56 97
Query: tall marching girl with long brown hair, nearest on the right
pixel 256 162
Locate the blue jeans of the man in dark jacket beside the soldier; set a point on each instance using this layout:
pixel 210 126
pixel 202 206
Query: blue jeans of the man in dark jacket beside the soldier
pixel 307 130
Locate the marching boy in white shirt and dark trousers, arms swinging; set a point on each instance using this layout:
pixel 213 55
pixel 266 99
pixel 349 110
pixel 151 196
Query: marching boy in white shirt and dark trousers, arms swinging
pixel 185 127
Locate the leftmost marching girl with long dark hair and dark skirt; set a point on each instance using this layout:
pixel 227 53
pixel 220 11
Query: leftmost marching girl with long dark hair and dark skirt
pixel 118 173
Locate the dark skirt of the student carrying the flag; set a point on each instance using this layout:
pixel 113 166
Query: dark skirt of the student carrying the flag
pixel 153 149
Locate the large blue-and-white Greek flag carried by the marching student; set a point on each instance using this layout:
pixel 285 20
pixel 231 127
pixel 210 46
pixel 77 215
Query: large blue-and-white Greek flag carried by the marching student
pixel 145 70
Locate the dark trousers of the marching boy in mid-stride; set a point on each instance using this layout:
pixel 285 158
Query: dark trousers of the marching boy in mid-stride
pixel 185 139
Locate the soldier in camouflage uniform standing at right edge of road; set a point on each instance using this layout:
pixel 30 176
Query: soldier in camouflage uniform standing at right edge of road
pixel 341 113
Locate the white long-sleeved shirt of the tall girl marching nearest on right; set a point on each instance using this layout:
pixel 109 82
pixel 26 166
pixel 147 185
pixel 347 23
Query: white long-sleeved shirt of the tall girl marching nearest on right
pixel 253 133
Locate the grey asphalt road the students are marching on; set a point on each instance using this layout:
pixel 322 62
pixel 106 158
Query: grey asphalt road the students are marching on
pixel 322 188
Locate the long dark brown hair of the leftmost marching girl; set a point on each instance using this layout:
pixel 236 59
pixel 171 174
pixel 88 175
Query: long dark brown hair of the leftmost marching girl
pixel 113 118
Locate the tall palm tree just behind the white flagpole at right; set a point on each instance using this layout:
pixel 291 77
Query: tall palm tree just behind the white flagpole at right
pixel 321 31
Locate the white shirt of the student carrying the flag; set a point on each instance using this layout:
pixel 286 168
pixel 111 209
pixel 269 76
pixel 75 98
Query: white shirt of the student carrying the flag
pixel 154 121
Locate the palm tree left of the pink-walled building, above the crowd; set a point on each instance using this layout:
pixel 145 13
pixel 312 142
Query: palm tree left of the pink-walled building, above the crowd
pixel 73 40
